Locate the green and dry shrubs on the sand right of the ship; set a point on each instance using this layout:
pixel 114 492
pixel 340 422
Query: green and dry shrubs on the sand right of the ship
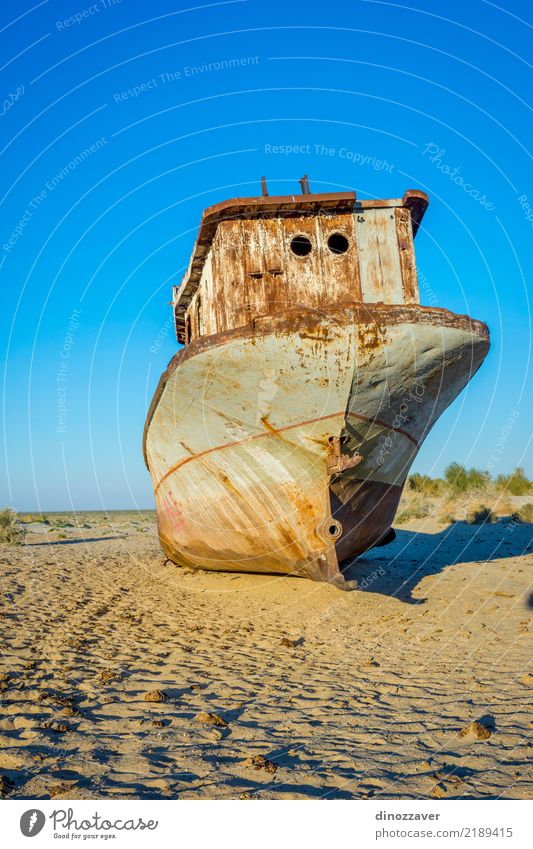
pixel 468 495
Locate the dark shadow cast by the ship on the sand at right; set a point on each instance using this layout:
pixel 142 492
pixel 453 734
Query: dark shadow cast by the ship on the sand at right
pixel 398 568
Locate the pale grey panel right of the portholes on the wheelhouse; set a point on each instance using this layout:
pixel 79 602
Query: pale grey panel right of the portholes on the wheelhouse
pixel 379 263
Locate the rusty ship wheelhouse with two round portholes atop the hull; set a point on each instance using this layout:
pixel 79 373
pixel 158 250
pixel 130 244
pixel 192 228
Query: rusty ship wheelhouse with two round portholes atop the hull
pixel 260 256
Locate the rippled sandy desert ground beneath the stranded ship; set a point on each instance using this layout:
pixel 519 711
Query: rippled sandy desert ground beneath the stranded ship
pixel 317 693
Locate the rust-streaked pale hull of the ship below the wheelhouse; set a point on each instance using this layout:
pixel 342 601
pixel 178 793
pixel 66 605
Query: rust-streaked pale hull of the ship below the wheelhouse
pixel 281 445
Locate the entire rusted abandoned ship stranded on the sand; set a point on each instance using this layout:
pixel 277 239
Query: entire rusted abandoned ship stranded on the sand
pixel 280 436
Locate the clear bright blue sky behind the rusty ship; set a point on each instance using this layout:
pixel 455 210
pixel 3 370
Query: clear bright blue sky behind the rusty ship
pixel 122 120
